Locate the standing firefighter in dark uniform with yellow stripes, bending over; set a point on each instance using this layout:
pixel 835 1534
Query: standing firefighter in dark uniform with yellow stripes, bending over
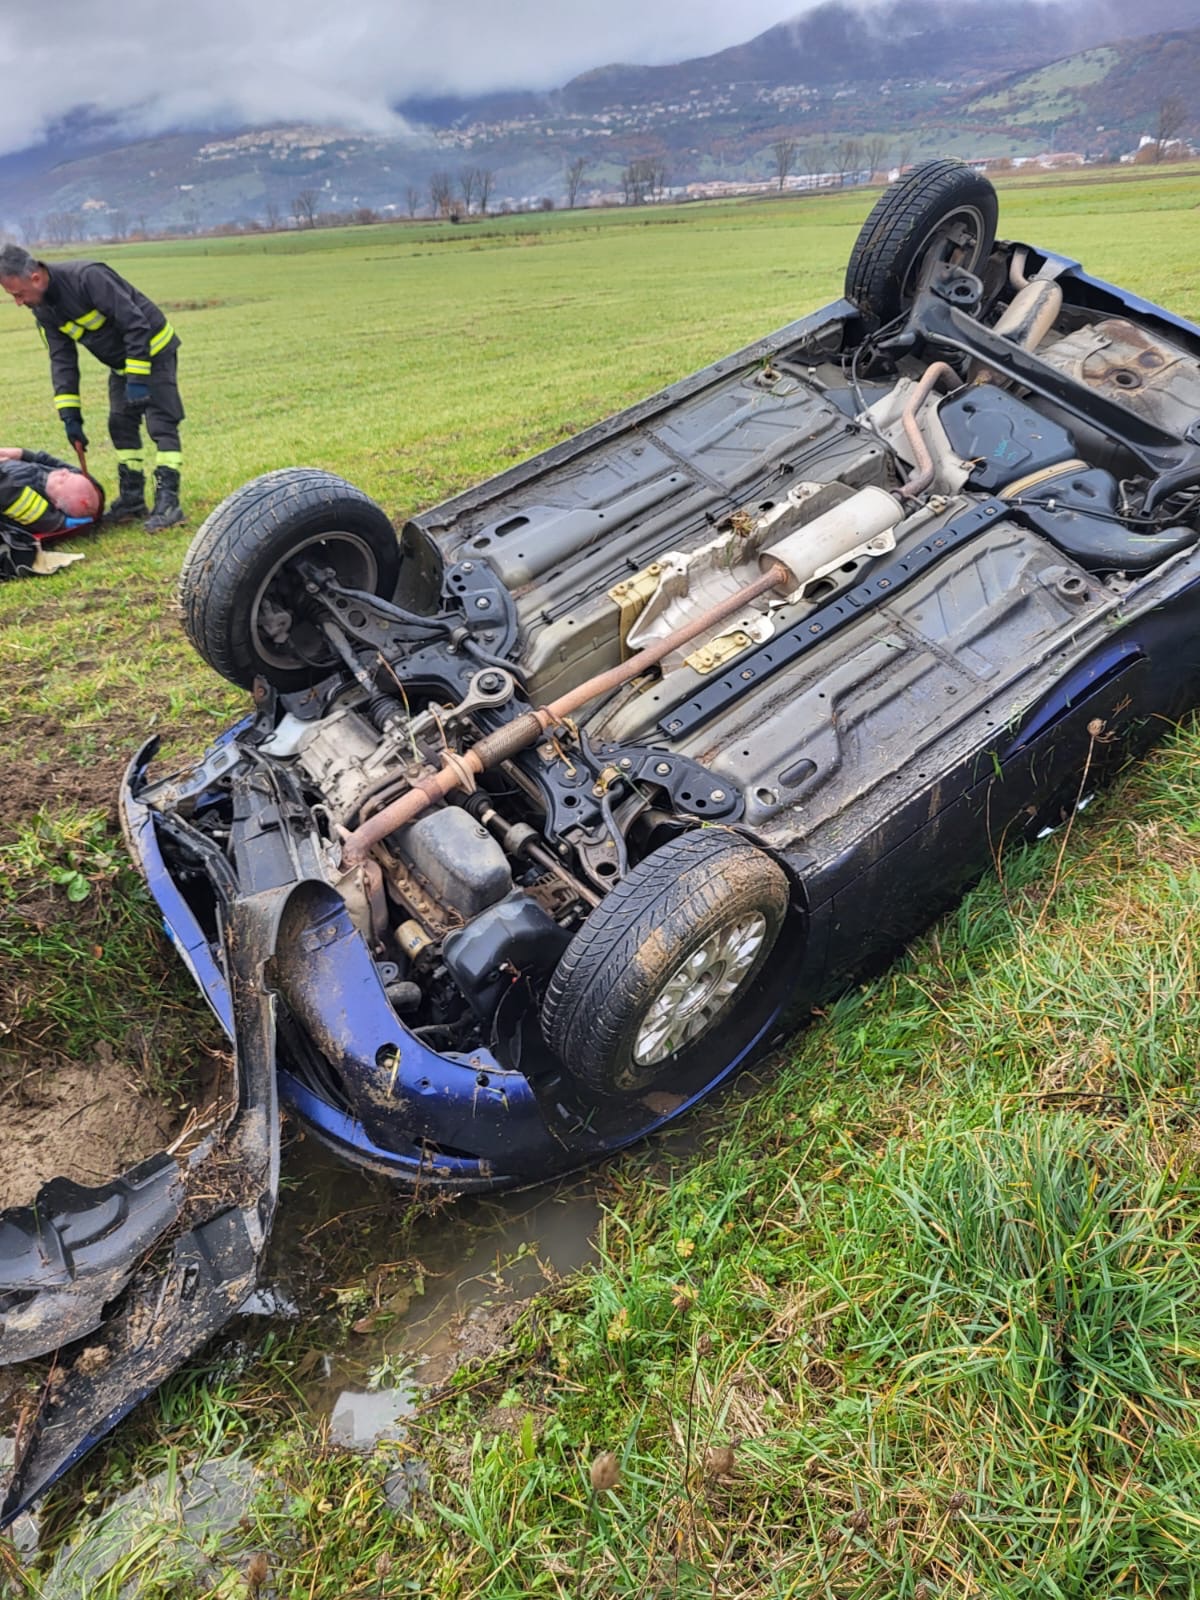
pixel 87 303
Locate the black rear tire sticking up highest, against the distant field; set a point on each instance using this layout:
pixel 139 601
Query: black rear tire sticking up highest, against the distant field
pixel 940 209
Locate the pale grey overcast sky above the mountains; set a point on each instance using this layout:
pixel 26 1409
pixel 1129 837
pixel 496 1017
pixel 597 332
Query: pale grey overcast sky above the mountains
pixel 201 63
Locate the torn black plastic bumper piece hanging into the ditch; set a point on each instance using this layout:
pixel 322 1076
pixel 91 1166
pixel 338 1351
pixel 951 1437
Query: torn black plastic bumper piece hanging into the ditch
pixel 97 1278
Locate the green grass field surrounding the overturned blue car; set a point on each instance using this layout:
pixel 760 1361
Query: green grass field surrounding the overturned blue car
pixel 922 1319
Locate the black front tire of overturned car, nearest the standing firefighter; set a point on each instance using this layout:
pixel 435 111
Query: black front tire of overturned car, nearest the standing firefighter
pixel 242 556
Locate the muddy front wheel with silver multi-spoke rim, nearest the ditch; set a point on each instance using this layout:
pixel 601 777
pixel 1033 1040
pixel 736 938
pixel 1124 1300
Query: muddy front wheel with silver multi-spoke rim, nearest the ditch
pixel 599 1015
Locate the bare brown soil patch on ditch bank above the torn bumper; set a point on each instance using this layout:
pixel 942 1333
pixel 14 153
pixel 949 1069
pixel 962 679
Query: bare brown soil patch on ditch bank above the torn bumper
pixel 90 1122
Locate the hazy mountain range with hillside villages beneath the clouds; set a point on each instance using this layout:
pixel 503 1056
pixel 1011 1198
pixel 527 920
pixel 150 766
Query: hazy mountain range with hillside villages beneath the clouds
pixel 911 78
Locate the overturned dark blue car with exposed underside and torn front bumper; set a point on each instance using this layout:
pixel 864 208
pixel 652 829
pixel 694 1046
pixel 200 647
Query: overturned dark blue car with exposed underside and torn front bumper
pixel 559 806
